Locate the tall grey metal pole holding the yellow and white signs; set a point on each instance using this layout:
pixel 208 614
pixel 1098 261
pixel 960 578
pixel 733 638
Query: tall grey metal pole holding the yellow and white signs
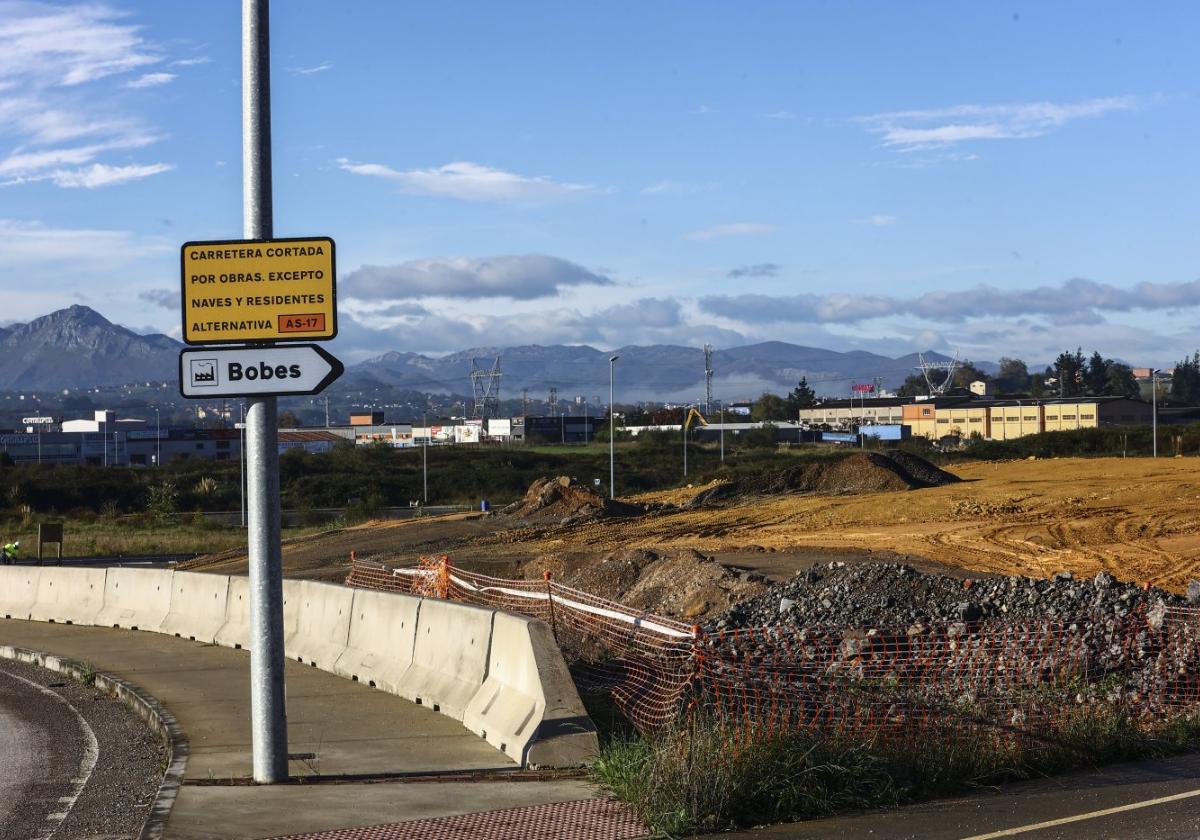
pixel 269 729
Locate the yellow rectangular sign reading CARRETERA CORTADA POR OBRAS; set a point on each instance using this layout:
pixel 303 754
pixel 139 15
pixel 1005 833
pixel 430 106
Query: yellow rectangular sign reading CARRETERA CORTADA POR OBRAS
pixel 247 291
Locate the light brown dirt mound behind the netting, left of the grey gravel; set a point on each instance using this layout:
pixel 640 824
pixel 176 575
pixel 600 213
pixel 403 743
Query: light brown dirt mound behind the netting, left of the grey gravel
pixel 683 585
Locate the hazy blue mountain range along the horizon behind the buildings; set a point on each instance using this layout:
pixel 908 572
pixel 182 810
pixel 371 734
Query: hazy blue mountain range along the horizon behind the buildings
pixel 77 347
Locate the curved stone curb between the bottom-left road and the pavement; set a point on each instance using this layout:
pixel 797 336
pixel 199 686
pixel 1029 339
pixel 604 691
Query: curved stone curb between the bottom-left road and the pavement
pixel 146 706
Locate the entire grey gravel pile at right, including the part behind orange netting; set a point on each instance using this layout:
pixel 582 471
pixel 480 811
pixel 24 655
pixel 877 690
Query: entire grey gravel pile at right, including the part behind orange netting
pixel 1005 646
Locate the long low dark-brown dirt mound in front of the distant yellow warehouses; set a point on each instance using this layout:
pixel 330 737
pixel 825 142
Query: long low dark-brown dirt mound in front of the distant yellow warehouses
pixel 859 473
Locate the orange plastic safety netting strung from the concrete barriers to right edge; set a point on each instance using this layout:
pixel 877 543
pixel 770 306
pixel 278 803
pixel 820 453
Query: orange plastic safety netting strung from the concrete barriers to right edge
pixel 997 676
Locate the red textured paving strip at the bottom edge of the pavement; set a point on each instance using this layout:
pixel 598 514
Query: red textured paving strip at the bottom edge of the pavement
pixel 581 820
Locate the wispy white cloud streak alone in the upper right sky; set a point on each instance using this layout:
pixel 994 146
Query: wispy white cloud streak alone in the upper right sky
pixel 944 128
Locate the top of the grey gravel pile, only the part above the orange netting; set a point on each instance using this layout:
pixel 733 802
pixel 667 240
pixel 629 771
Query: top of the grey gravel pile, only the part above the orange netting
pixel 896 596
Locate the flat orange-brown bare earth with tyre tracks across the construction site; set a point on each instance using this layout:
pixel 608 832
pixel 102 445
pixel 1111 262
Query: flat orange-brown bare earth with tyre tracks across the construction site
pixel 1138 520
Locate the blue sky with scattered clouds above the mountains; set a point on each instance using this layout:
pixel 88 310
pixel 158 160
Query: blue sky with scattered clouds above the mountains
pixel 994 181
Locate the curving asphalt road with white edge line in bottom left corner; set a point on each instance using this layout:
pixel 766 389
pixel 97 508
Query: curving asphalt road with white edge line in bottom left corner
pixel 74 761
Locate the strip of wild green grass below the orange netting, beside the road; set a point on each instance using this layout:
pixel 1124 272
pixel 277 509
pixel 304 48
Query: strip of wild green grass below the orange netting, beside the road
pixel 709 775
